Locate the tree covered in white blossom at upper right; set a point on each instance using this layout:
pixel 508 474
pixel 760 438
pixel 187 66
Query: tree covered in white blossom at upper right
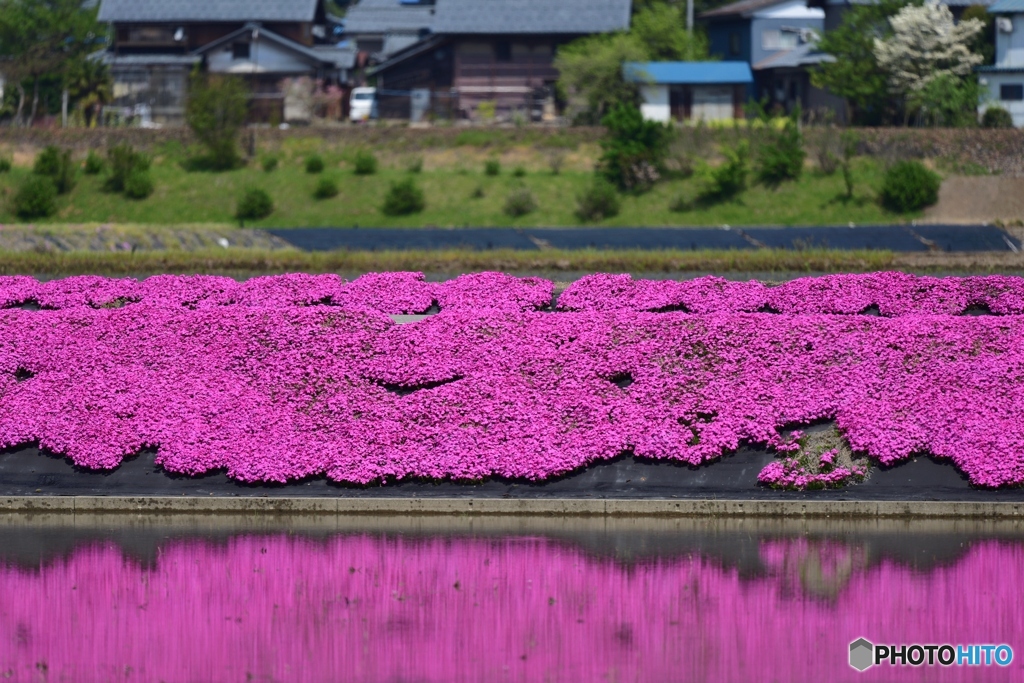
pixel 926 46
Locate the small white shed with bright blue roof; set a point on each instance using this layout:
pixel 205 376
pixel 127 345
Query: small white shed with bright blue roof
pixel 692 91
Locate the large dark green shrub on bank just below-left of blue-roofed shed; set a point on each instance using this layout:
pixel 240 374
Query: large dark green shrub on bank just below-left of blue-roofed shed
pixel 634 149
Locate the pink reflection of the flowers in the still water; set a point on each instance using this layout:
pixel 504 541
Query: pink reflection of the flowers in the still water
pixel 368 609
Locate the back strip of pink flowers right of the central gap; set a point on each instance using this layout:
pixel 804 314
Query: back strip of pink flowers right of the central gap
pixel 892 293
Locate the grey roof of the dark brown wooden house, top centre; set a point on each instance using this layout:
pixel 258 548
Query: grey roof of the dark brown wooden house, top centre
pixel 534 17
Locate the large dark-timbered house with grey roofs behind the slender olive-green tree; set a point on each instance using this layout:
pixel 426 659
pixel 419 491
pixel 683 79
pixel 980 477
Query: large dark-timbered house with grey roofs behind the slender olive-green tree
pixel 157 44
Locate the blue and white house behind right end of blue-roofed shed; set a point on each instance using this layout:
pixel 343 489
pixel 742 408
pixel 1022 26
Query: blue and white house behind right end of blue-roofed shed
pixel 778 38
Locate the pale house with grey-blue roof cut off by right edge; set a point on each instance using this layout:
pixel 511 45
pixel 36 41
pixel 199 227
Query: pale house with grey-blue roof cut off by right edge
pixel 1004 81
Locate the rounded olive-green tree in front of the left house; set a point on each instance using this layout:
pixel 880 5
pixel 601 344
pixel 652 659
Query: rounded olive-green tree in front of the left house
pixel 217 112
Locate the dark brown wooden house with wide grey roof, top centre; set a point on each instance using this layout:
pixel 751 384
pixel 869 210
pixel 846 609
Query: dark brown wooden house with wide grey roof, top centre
pixel 491 58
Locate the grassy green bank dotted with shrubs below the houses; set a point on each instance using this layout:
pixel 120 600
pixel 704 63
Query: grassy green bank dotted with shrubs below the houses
pixel 209 198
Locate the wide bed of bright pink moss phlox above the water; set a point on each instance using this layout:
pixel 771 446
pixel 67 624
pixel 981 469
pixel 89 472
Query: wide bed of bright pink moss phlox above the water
pixel 284 378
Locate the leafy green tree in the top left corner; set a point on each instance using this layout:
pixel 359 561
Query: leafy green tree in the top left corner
pixel 39 38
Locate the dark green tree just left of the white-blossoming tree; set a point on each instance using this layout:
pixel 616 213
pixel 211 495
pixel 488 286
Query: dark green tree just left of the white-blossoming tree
pixel 855 74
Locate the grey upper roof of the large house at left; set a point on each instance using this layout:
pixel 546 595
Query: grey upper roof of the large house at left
pixel 208 11
